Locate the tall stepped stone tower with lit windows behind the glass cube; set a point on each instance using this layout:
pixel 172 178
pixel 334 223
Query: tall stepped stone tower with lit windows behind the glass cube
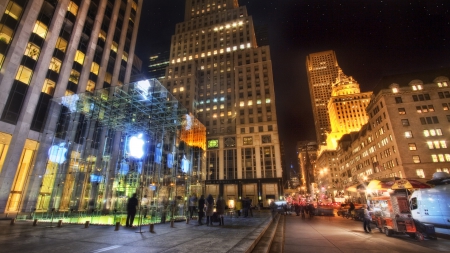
pixel 221 75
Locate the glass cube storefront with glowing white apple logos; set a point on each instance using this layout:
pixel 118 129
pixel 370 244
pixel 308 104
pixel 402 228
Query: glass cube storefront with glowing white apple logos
pixel 109 144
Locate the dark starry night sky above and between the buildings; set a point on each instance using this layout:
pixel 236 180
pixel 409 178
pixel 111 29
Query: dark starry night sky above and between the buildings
pixel 371 38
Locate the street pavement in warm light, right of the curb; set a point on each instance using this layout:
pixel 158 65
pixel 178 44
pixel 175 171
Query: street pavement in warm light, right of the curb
pixel 336 234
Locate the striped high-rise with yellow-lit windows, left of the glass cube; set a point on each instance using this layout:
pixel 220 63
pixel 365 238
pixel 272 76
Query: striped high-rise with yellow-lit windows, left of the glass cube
pixel 49 49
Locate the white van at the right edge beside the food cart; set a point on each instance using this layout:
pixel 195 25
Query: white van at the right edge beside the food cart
pixel 432 206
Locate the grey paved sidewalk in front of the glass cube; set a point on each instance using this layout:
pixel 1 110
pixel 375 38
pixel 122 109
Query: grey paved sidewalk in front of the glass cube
pixel 238 235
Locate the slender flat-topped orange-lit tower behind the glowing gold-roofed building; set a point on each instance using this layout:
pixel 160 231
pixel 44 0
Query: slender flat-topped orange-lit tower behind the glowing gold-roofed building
pixel 322 69
